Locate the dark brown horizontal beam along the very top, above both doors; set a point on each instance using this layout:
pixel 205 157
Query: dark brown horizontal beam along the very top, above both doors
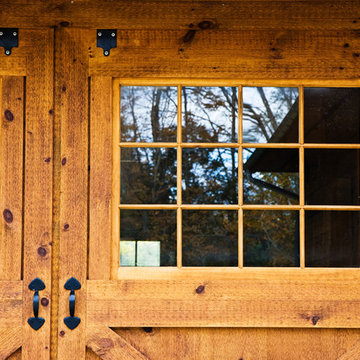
pixel 183 14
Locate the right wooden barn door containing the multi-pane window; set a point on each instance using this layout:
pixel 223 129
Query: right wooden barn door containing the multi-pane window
pixel 126 294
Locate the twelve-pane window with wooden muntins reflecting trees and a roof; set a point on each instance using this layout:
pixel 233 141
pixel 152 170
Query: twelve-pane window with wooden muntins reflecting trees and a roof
pixel 238 176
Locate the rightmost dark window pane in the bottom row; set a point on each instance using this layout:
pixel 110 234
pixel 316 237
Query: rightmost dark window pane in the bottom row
pixel 332 238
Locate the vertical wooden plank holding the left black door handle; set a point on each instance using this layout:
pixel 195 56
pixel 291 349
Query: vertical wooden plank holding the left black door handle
pixel 38 189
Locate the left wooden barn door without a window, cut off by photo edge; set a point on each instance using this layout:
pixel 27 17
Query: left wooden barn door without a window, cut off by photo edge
pixel 26 163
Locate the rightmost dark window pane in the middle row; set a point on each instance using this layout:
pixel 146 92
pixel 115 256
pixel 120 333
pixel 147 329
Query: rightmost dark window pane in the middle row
pixel 332 177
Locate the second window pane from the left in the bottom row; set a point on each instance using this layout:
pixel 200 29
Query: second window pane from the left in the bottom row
pixel 210 238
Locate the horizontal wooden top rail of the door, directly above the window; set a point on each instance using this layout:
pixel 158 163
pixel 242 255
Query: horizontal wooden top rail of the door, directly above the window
pixel 243 55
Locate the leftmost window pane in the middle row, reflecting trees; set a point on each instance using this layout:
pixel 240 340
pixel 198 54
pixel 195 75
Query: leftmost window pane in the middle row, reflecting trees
pixel 148 175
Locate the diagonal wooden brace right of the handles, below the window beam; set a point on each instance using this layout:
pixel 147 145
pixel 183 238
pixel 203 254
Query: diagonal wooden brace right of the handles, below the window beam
pixel 110 346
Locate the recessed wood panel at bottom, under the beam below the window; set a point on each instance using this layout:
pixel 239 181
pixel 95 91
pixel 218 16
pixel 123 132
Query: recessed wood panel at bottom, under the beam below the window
pixel 236 344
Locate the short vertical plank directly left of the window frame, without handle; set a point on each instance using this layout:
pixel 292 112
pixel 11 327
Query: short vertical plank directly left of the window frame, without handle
pixel 101 137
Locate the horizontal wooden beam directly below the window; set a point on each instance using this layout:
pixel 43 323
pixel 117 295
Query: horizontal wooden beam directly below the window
pixel 327 298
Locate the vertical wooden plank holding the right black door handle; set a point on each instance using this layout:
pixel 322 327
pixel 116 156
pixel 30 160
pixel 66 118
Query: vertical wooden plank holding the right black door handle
pixel 71 91
